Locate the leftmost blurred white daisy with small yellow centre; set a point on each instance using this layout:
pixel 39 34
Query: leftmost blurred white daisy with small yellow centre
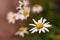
pixel 11 17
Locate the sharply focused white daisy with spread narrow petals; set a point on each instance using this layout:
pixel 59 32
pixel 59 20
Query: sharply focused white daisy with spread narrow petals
pixel 40 26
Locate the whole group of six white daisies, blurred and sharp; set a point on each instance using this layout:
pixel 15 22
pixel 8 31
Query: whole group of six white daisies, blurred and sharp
pixel 23 13
